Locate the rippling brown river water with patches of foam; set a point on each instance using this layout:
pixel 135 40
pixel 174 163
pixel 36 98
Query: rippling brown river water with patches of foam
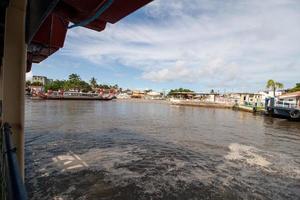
pixel 127 150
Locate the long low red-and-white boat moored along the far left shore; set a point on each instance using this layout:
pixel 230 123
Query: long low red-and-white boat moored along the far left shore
pixel 60 95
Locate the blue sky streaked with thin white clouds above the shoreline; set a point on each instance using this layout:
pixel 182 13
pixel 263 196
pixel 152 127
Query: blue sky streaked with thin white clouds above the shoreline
pixel 232 45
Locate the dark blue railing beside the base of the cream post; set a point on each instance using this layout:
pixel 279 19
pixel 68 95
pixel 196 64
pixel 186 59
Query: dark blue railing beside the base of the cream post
pixel 12 186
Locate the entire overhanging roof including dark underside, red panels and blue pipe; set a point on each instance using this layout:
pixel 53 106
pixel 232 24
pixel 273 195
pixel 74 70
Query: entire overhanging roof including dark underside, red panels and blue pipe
pixel 48 21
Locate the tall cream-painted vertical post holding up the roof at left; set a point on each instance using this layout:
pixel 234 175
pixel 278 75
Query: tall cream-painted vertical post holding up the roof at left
pixel 14 64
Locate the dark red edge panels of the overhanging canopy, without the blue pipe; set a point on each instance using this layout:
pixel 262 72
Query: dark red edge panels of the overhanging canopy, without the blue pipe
pixel 51 35
